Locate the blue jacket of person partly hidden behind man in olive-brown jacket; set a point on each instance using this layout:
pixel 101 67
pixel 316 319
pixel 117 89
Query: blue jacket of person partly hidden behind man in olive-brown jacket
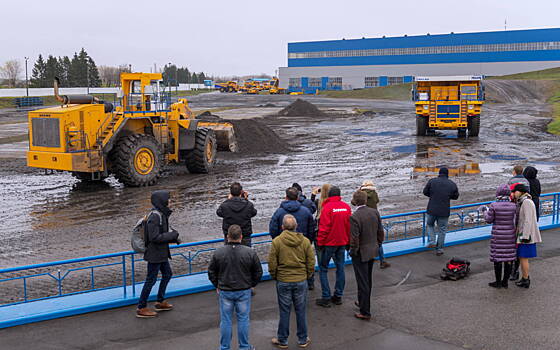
pixel 304 218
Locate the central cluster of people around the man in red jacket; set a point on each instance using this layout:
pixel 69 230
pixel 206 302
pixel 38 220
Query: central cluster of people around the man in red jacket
pixel 304 231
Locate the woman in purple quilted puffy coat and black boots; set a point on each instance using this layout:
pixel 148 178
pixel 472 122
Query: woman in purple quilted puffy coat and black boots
pixel 503 250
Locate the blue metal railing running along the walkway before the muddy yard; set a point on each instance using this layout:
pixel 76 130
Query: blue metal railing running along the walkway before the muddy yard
pixel 47 280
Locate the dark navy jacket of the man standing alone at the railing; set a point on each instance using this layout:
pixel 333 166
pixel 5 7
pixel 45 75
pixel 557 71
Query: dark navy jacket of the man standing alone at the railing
pixel 441 191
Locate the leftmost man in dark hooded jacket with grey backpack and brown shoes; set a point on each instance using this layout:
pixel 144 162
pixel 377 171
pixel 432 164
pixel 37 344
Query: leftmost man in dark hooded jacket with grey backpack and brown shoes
pixel 158 235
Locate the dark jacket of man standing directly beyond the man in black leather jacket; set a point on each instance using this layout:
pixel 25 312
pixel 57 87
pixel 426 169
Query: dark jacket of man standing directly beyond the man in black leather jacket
pixel 237 211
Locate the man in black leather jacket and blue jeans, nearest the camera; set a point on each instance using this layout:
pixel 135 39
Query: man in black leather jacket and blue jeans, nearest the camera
pixel 234 270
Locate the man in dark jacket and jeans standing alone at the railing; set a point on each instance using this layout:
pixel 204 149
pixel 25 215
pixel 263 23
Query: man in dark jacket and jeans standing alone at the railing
pixel 440 190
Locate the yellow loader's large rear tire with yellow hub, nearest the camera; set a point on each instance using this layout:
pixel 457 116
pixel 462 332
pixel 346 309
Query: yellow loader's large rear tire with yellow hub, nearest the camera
pixel 137 160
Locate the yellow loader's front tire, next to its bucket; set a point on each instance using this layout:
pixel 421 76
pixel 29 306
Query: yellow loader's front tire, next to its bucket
pixel 202 158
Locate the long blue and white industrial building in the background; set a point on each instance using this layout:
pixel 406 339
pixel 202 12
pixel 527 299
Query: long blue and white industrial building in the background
pixel 370 62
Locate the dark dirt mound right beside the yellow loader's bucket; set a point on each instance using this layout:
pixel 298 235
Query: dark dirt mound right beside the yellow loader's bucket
pixel 254 137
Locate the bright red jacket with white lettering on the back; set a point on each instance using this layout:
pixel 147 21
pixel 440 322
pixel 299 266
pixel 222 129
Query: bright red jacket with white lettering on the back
pixel 334 223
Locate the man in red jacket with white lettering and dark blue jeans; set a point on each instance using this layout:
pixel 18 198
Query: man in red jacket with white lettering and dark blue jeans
pixel 332 240
